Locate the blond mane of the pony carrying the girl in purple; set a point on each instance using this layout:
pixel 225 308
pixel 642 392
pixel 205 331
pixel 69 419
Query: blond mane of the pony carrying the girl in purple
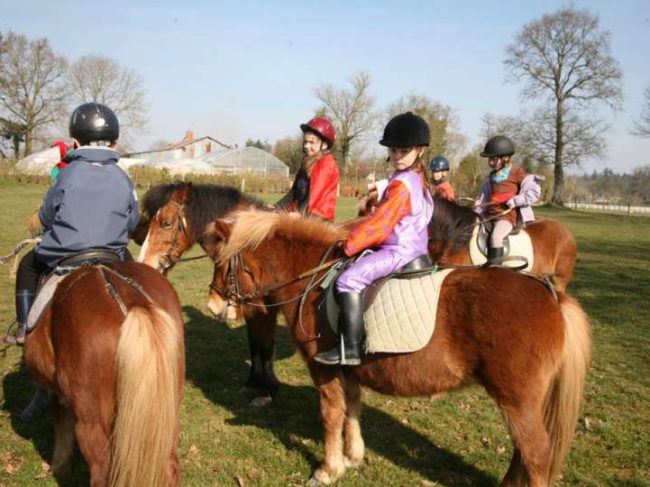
pixel 252 227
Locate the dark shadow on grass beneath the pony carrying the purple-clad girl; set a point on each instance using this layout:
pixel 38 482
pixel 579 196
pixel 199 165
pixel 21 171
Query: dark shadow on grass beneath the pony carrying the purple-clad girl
pixel 216 351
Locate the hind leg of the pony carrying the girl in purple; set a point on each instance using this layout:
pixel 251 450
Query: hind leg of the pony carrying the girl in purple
pixel 531 459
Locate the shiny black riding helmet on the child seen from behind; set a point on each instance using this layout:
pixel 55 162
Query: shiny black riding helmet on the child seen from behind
pixel 93 122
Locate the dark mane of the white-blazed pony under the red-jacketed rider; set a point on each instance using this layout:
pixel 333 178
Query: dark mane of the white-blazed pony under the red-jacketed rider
pixel 206 202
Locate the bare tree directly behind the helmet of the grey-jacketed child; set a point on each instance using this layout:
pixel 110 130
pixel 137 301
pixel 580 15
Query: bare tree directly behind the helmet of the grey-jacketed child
pixel 103 80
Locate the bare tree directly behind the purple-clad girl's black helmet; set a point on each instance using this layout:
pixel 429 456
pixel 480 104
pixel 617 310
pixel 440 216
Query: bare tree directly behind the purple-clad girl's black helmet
pixel 443 122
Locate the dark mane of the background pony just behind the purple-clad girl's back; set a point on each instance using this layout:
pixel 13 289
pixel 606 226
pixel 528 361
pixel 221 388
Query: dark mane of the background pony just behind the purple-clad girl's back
pixel 451 222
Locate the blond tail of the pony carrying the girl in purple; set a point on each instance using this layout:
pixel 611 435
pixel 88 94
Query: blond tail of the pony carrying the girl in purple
pixel 565 393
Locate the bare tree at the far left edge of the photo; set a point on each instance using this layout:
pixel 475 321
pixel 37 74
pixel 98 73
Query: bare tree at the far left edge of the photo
pixel 32 88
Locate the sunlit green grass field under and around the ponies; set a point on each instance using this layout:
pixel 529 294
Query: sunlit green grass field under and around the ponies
pixel 456 440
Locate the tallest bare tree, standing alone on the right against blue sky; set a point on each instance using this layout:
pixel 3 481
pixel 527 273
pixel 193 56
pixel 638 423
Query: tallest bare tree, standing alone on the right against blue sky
pixel 565 58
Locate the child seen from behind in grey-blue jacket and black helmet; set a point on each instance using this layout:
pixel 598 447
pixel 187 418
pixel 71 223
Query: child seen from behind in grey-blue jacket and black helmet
pixel 92 205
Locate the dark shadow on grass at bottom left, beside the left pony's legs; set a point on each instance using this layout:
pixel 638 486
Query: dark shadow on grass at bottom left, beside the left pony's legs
pixel 18 389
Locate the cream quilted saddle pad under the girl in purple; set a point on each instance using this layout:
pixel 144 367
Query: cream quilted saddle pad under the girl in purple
pixel 402 316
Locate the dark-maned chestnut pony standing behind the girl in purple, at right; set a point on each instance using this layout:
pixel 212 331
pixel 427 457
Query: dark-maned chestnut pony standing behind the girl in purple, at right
pixel 451 228
